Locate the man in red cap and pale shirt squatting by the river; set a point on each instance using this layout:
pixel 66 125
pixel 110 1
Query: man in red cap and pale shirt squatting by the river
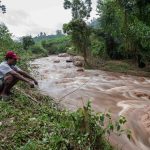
pixel 10 74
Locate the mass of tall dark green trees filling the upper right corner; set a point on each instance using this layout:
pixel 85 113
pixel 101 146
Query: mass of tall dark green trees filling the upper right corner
pixel 126 21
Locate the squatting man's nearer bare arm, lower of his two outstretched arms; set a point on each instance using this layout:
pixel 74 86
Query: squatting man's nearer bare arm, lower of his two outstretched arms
pixel 20 77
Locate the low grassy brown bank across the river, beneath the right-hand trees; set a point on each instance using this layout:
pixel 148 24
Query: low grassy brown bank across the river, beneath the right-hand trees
pixel 127 67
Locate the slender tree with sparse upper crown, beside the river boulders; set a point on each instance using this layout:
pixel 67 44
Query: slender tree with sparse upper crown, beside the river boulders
pixel 77 27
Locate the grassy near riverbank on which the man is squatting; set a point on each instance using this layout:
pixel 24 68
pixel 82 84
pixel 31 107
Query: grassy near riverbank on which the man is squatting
pixel 30 120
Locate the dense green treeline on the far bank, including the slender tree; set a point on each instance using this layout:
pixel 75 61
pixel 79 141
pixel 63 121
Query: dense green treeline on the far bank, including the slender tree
pixel 122 29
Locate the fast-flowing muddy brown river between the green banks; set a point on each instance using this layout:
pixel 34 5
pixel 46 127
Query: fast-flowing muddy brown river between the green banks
pixel 120 94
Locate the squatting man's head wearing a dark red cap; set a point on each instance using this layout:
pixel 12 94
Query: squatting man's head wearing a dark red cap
pixel 11 57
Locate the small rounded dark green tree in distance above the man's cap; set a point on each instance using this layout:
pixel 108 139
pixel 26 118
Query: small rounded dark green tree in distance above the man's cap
pixel 27 42
